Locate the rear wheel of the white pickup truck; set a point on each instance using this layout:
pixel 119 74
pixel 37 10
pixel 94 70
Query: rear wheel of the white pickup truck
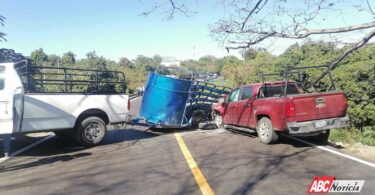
pixel 91 131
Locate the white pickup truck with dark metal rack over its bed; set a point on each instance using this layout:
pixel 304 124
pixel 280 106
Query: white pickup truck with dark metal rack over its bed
pixel 70 102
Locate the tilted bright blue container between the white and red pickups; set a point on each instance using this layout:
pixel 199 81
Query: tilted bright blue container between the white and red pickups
pixel 164 101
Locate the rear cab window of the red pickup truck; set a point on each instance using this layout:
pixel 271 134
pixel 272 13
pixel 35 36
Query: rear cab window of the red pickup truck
pixel 277 91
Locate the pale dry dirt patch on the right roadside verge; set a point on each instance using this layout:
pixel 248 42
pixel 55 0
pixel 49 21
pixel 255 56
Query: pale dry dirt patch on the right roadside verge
pixel 359 150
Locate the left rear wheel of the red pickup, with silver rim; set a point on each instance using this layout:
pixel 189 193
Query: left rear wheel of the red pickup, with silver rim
pixel 265 131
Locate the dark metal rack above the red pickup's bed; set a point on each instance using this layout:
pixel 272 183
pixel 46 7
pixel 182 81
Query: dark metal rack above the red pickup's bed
pixel 301 74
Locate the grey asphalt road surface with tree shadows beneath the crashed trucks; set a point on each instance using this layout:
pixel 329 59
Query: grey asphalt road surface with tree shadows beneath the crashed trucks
pixel 140 161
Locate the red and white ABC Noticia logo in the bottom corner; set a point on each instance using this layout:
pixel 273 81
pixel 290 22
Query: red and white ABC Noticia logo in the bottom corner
pixel 326 184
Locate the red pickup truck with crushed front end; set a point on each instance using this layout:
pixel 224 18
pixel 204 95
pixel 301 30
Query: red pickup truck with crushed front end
pixel 266 108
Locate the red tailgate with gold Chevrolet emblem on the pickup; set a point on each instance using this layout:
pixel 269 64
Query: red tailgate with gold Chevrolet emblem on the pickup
pixel 319 106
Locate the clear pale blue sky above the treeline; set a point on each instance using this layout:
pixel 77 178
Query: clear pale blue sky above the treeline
pixel 114 29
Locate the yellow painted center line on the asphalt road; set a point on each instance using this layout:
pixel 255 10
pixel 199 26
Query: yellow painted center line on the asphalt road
pixel 199 178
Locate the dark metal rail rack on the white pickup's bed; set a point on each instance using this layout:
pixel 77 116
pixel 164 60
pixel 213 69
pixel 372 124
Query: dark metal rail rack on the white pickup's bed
pixel 50 79
